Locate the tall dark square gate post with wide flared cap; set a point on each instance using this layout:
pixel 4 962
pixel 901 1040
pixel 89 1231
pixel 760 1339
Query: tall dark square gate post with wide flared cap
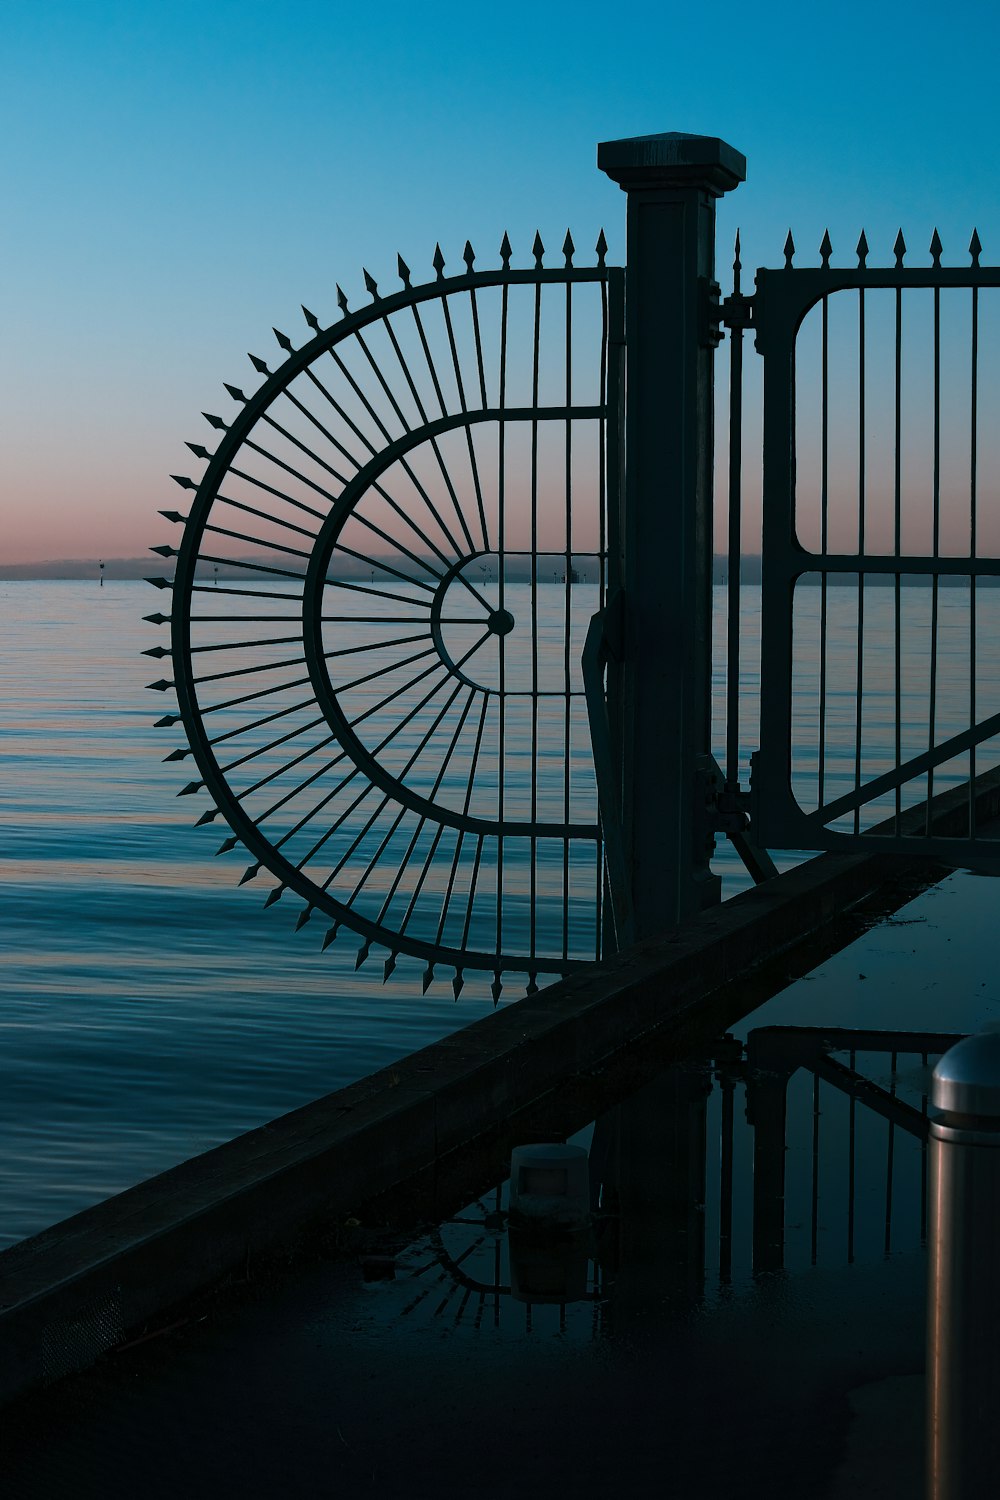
pixel 666 524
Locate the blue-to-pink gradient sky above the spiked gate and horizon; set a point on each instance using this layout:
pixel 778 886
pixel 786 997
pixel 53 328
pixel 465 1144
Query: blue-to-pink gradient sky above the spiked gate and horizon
pixel 181 176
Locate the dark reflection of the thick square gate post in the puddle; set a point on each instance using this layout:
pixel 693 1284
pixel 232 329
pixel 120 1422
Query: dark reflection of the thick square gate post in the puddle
pixel 656 1177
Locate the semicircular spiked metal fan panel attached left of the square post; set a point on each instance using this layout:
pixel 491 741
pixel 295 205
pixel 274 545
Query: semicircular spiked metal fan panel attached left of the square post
pixel 380 703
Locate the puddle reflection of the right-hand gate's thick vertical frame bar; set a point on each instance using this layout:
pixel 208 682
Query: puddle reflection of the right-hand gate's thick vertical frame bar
pixel 767 1090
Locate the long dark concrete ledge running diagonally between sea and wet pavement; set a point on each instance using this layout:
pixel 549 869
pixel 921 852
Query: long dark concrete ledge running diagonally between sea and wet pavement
pixel 76 1291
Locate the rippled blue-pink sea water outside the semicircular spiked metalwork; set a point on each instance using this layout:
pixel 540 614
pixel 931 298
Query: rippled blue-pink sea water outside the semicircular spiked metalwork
pixel 151 1009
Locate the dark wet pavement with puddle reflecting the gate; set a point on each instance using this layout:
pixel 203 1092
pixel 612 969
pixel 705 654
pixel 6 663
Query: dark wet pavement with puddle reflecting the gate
pixel 744 1315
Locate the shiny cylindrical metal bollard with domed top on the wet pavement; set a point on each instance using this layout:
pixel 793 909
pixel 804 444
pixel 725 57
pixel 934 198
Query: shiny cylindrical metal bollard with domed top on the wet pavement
pixel 963 1331
